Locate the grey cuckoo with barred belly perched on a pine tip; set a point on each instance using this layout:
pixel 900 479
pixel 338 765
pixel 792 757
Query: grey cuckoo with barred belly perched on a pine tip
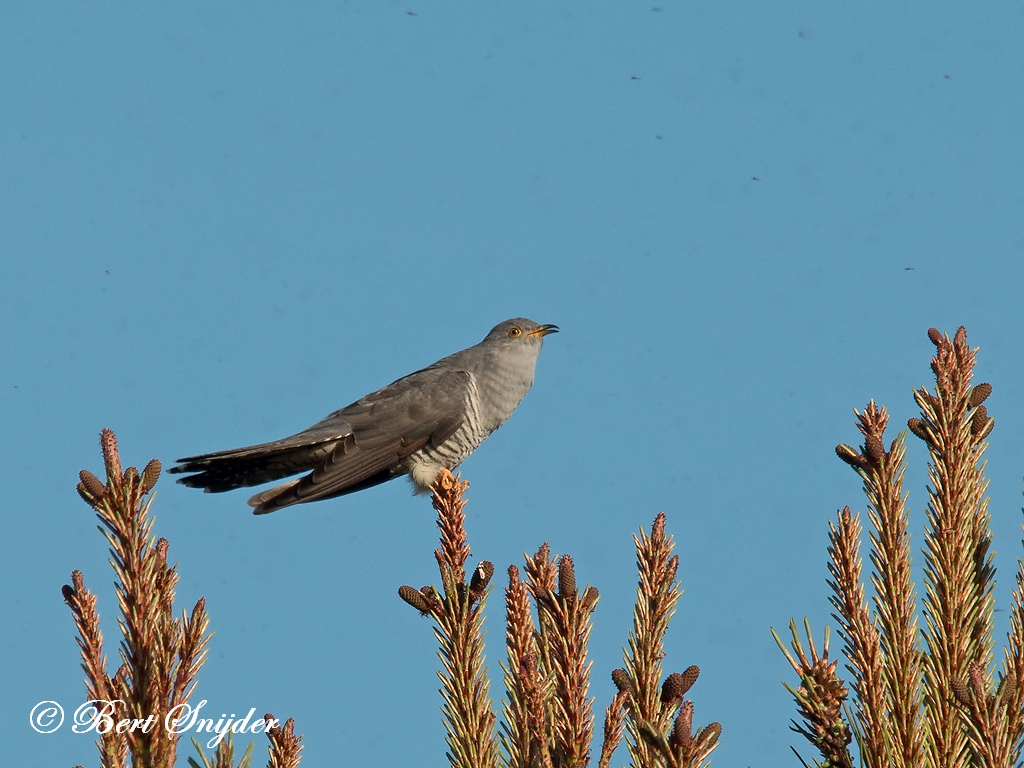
pixel 418 425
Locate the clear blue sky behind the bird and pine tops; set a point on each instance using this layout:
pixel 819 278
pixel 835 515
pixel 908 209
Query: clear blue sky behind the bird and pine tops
pixel 222 223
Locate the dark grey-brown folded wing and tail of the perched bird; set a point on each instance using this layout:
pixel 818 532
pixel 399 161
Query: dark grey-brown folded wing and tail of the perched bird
pixel 363 441
